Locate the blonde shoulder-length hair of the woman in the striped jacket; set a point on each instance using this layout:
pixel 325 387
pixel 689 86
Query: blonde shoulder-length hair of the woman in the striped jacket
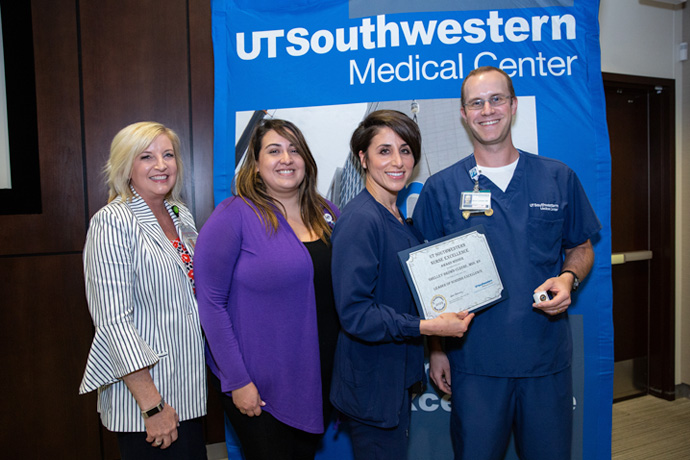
pixel 126 145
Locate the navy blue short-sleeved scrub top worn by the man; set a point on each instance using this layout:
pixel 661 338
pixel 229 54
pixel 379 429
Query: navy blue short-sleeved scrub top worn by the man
pixel 543 211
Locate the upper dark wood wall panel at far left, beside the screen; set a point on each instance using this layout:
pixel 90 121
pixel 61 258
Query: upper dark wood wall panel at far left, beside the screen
pixel 60 227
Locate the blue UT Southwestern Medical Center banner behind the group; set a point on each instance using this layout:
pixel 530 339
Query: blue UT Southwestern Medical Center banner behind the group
pixel 324 65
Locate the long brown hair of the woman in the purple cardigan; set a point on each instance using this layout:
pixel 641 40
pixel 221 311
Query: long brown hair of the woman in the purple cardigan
pixel 251 187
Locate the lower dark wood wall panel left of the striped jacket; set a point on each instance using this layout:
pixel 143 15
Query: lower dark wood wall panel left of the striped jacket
pixel 44 343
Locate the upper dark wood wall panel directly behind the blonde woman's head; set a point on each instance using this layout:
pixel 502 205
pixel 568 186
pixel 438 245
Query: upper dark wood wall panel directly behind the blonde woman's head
pixel 135 68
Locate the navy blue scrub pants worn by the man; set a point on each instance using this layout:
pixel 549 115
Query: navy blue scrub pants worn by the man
pixel 538 410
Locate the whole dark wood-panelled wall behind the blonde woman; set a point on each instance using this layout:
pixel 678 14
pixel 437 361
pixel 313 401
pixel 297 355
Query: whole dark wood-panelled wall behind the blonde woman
pixel 99 66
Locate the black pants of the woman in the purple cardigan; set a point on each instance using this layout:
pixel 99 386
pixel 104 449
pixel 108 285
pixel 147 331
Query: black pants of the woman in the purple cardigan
pixel 267 438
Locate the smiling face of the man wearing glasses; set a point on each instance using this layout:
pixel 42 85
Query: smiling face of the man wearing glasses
pixel 489 126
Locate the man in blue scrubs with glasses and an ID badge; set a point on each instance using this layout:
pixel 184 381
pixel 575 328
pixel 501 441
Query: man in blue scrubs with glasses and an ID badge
pixel 511 372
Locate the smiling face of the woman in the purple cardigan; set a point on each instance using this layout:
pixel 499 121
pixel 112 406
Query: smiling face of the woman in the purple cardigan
pixel 280 166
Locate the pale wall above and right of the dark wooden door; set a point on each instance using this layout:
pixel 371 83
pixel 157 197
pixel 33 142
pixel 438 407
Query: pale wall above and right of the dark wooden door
pixel 641 37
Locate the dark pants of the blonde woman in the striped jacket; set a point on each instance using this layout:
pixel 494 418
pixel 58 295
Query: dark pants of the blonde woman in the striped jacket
pixel 190 444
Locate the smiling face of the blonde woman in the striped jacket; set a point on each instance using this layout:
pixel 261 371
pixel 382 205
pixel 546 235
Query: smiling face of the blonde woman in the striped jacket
pixel 154 171
